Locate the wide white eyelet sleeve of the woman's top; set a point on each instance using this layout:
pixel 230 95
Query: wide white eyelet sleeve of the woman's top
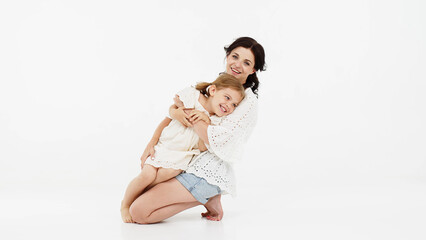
pixel 227 139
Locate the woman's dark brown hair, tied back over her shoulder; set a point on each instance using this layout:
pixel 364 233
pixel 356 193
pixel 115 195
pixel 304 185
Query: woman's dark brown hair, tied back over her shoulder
pixel 259 59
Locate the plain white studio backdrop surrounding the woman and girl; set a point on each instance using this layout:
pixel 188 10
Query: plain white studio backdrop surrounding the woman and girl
pixel 338 151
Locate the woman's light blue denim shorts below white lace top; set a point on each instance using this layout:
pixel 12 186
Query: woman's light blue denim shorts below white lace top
pixel 198 187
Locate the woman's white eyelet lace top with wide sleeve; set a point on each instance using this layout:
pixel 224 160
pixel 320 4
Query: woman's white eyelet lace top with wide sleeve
pixel 226 145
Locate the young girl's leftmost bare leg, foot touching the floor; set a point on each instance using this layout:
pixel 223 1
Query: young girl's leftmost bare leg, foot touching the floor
pixel 135 188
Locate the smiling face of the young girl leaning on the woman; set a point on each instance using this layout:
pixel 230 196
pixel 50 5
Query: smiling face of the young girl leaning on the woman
pixel 224 101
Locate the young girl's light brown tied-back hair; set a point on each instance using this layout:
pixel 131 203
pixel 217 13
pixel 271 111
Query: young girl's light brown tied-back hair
pixel 223 81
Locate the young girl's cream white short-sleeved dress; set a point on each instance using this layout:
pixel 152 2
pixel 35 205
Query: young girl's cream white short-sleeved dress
pixel 178 144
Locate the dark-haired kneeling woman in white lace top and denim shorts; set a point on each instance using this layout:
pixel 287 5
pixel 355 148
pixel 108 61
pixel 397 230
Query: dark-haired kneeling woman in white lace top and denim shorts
pixel 210 174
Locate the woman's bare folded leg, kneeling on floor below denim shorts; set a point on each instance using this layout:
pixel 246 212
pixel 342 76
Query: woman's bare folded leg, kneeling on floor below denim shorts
pixel 161 202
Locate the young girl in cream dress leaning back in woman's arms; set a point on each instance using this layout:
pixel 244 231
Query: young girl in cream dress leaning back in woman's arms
pixel 178 144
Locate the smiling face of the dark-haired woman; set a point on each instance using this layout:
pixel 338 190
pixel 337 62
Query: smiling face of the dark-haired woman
pixel 240 63
